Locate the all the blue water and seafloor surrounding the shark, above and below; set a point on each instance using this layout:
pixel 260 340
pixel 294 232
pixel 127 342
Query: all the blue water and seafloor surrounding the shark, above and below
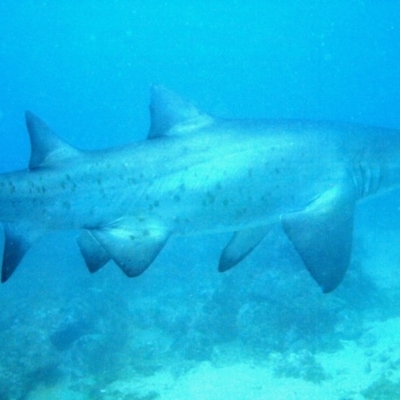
pixel 182 330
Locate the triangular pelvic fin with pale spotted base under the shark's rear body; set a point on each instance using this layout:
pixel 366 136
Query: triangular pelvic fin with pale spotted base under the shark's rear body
pixel 132 249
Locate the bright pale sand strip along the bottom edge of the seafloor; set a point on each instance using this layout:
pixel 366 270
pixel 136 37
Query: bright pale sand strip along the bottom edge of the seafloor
pixel 348 374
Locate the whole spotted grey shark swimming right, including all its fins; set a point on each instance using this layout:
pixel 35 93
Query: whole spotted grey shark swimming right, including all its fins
pixel 197 174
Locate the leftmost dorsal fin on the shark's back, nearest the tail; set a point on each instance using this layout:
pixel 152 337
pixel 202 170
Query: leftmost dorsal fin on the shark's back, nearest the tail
pixel 47 148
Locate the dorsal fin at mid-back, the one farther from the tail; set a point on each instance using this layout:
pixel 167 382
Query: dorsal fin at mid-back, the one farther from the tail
pixel 168 110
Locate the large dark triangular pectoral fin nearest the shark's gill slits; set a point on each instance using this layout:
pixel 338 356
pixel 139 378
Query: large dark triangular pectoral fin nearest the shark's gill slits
pixel 322 235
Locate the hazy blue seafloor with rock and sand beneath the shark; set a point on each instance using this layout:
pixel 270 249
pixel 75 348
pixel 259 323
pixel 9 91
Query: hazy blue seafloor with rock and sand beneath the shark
pixel 184 331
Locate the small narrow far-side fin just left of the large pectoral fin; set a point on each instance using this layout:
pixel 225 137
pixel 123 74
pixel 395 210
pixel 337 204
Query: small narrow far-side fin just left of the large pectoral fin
pixel 241 244
